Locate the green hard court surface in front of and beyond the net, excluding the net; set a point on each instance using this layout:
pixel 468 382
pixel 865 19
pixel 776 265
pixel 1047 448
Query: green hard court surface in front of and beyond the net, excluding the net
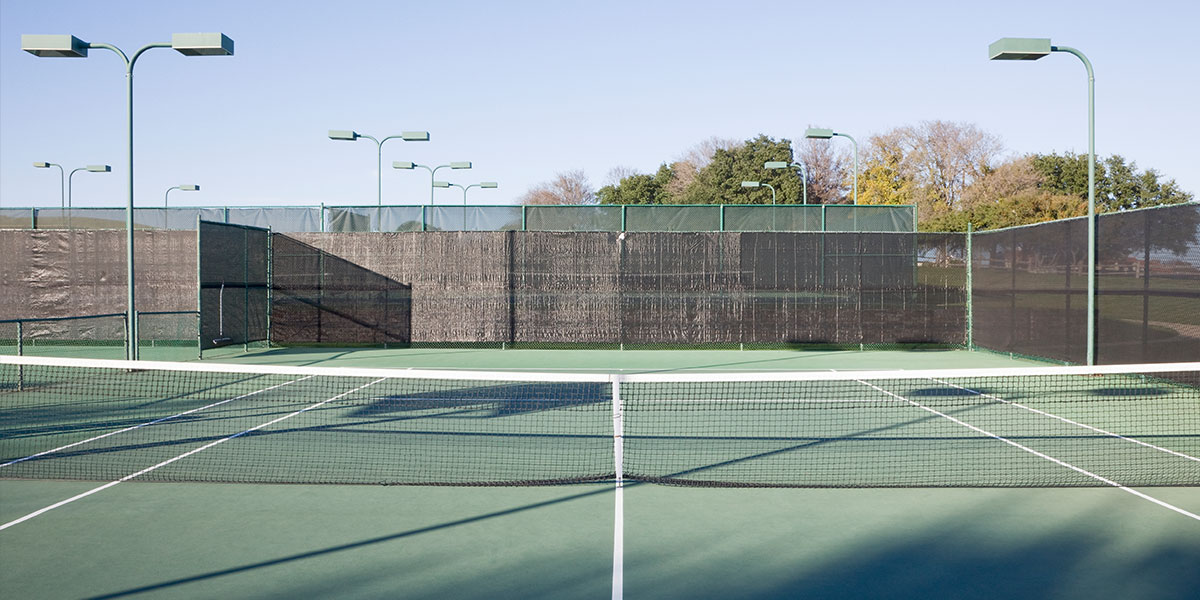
pixel 165 541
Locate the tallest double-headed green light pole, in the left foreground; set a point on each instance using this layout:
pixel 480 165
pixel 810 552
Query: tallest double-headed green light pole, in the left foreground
pixel 68 46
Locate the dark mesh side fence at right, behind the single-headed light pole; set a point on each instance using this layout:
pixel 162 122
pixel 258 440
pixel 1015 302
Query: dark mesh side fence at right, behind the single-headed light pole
pixel 1030 289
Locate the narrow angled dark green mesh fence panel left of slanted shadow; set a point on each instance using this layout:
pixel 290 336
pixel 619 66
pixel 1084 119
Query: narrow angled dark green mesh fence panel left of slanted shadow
pixel 233 275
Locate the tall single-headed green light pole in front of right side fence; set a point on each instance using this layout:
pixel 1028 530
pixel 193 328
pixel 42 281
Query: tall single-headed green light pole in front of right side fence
pixel 1034 49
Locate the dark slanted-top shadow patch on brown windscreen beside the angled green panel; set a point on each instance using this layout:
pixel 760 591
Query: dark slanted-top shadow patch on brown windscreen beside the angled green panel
pixel 320 298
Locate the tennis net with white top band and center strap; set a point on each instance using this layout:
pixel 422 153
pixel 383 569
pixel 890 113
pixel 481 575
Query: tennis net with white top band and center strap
pixel 172 422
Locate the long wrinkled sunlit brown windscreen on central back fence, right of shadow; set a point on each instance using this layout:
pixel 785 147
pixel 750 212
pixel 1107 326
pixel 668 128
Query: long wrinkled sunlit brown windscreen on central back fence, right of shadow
pixel 543 289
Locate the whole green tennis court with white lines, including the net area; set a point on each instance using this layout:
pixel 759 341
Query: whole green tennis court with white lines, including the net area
pixel 1125 446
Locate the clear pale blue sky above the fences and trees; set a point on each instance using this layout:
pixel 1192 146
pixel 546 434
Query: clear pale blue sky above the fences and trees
pixel 530 89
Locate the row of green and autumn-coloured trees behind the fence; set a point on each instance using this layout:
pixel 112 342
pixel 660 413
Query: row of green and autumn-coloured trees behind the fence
pixel 953 173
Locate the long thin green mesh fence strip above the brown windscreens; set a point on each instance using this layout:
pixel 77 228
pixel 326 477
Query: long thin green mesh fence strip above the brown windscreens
pixel 635 218
